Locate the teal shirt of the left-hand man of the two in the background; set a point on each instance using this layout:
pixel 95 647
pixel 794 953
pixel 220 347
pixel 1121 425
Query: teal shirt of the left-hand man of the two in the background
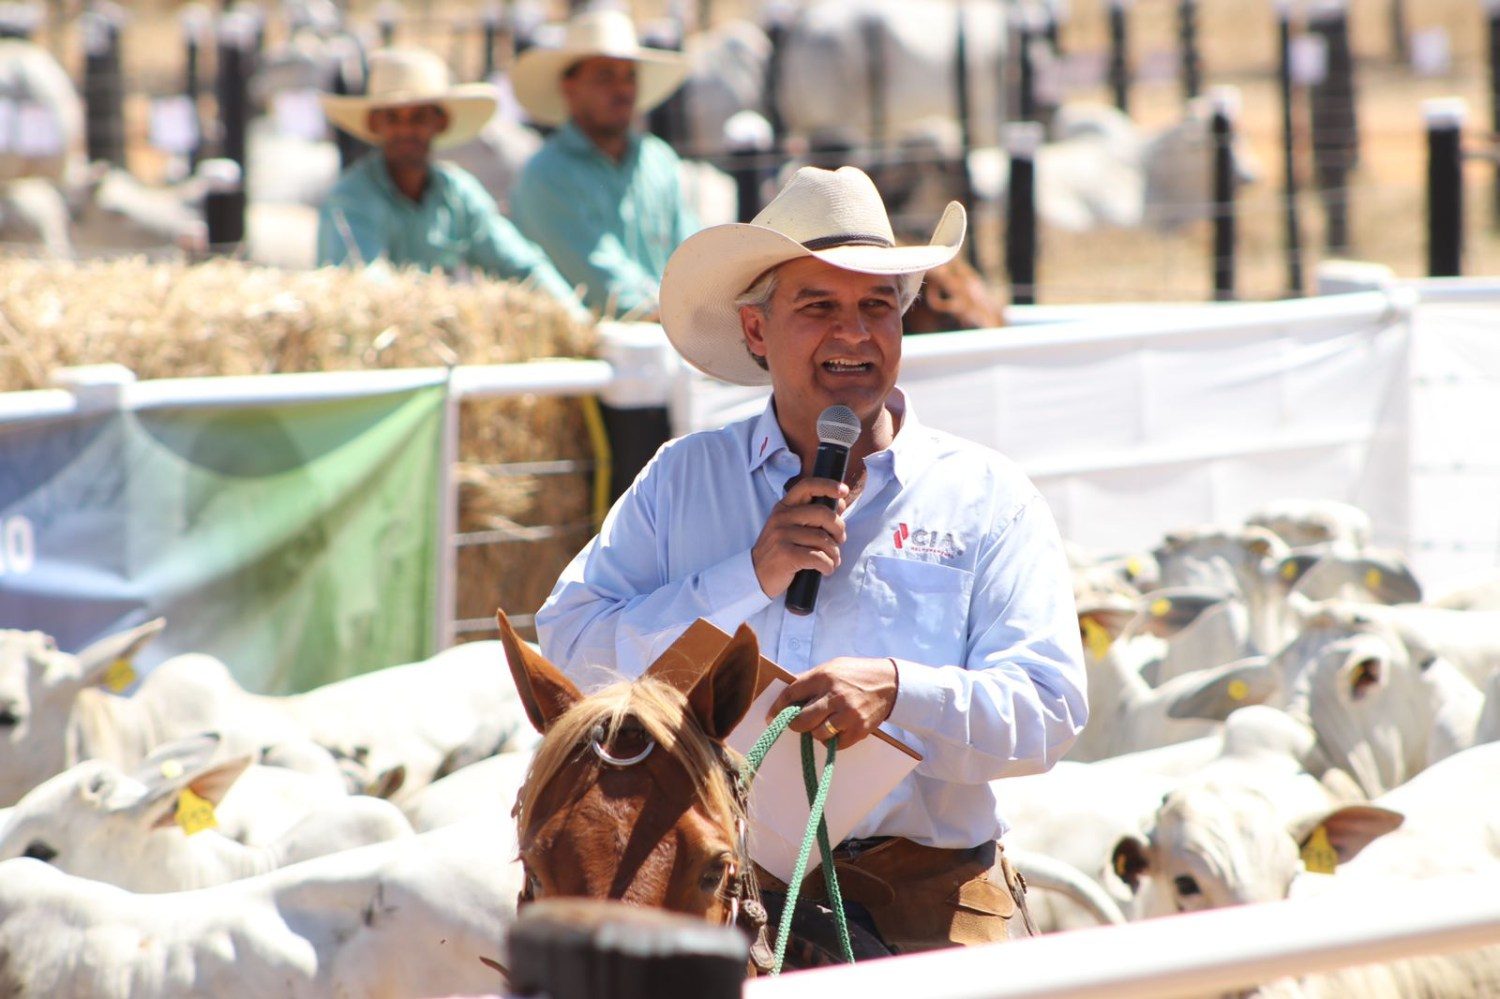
pixel 455 226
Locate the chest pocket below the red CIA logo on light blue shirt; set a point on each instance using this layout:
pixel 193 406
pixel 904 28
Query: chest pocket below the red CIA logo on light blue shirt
pixel 913 610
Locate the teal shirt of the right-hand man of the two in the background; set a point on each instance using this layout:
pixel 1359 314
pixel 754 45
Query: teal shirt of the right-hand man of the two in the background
pixel 608 226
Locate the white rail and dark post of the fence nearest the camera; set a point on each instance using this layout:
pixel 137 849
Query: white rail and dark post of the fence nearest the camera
pixel 1216 953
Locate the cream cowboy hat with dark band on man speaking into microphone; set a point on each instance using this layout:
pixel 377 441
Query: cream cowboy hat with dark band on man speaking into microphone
pixel 835 215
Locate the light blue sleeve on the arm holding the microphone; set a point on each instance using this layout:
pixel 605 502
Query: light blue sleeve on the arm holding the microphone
pixel 614 607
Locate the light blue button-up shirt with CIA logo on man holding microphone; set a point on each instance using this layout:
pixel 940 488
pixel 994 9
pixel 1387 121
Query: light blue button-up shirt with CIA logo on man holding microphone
pixel 953 566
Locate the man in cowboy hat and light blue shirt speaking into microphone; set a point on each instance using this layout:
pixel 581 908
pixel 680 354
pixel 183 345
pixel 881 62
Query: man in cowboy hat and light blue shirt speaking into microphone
pixel 946 613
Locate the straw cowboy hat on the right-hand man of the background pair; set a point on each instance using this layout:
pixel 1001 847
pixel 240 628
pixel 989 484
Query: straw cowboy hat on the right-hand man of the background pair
pixel 538 74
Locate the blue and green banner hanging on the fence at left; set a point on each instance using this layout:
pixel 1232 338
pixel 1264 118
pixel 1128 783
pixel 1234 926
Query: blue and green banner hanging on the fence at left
pixel 295 542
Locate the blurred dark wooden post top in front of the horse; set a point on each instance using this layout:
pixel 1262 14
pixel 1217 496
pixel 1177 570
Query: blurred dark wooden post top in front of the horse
pixel 584 949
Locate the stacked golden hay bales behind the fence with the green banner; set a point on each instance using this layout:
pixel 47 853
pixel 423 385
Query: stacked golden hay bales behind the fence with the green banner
pixel 172 320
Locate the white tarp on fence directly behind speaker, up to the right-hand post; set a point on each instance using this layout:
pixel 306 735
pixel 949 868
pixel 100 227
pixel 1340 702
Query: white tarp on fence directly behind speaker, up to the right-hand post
pixel 1148 422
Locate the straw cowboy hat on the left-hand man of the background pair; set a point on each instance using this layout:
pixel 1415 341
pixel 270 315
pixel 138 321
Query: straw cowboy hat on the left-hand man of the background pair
pixel 412 77
